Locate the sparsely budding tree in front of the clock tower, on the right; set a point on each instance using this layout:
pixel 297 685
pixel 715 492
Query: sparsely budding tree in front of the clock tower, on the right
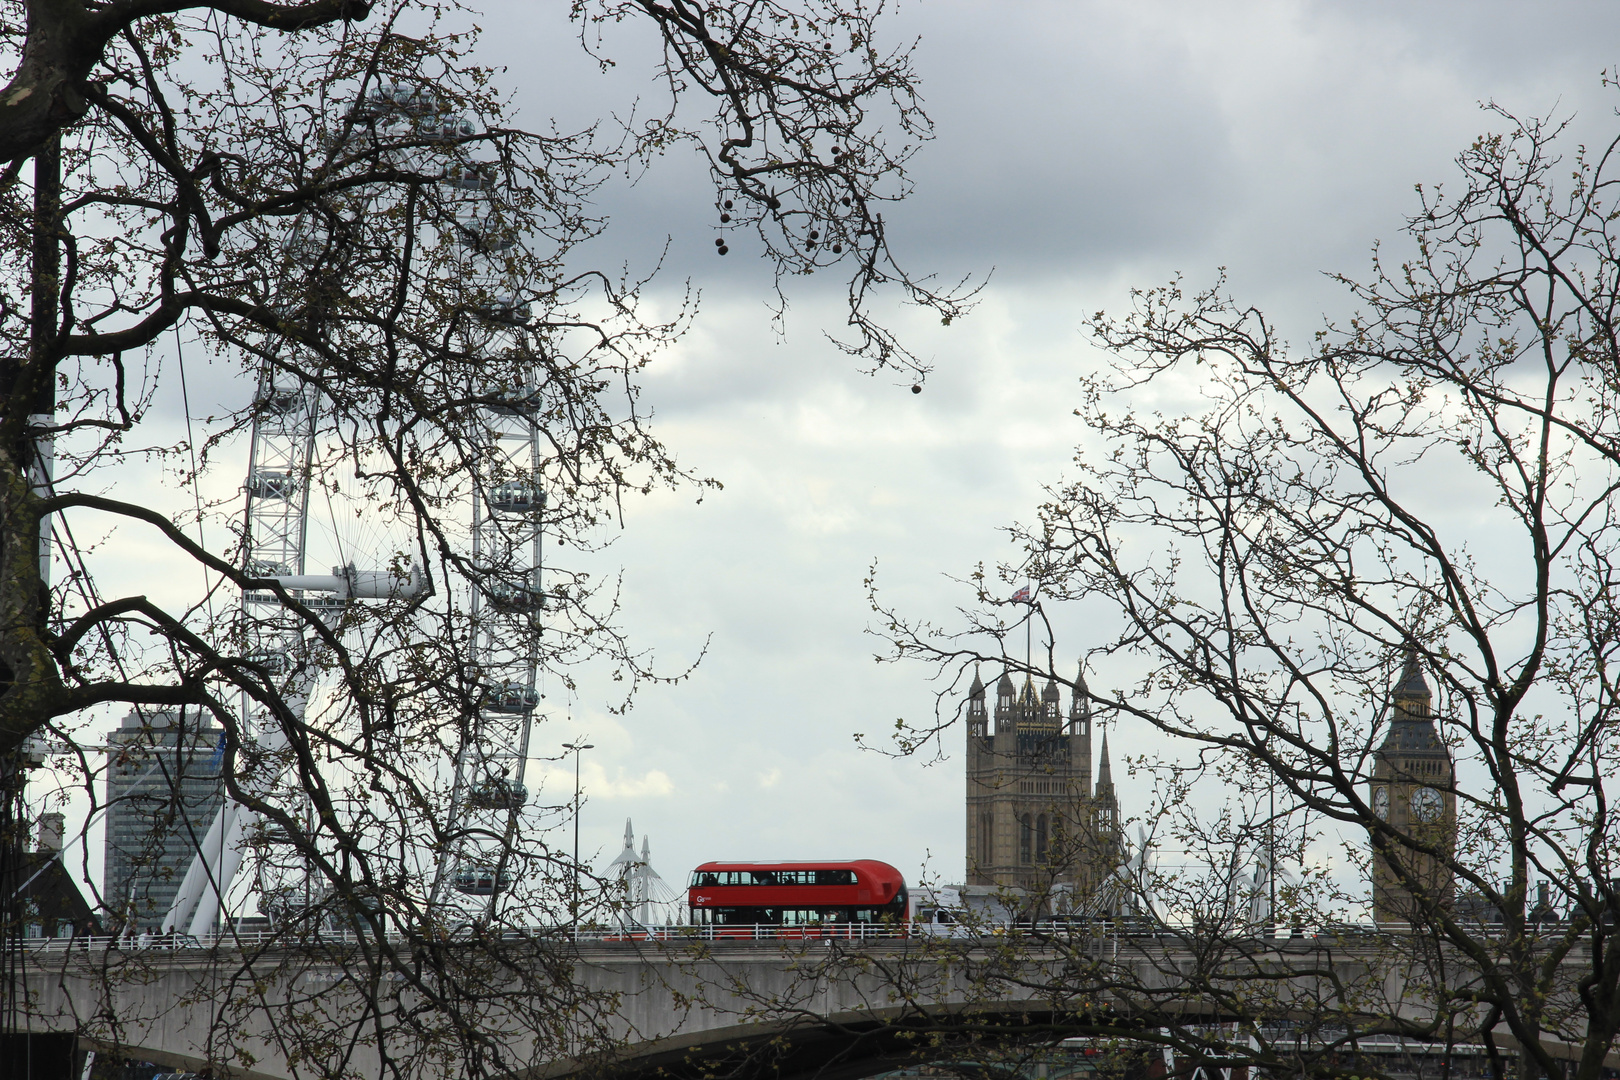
pixel 1365 587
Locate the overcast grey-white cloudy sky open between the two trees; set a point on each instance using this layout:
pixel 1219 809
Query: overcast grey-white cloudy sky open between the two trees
pixel 1083 150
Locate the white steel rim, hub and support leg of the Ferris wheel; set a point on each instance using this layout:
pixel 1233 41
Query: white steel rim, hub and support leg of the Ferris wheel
pixel 411 132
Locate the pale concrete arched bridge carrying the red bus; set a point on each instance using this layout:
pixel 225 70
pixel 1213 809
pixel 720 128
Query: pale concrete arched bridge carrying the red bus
pixel 678 1005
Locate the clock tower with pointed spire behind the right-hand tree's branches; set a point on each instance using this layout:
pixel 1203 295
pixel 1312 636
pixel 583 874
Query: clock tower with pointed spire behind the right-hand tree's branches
pixel 1413 791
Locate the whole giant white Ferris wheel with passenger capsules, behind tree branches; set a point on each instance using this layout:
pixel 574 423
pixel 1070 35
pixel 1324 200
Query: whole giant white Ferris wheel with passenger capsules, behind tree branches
pixel 309 495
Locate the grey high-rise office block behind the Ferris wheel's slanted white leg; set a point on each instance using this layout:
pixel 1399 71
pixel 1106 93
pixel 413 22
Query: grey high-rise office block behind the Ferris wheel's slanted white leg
pixel 163 793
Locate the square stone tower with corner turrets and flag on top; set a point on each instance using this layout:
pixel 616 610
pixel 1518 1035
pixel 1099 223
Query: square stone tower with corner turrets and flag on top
pixel 1034 819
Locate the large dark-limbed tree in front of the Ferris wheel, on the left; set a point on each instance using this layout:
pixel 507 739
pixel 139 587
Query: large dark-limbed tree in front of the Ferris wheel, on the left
pixel 333 200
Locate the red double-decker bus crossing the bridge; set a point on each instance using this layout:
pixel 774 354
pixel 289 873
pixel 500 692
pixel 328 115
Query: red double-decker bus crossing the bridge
pixel 798 898
